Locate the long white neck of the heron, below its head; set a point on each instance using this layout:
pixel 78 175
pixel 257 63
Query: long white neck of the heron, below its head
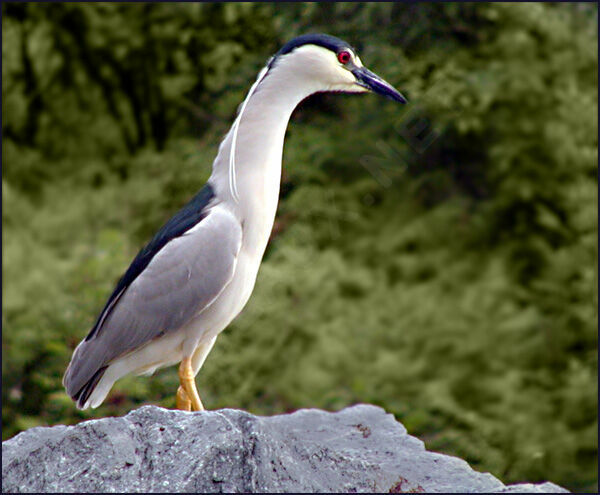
pixel 256 169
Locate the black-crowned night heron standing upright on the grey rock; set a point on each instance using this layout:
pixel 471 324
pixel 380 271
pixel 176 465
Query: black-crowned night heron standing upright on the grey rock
pixel 197 273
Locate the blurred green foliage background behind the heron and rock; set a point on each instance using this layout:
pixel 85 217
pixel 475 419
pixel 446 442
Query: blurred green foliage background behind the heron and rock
pixel 453 284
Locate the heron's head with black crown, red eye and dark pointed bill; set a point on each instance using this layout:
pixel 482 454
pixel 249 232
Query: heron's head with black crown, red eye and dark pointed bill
pixel 327 63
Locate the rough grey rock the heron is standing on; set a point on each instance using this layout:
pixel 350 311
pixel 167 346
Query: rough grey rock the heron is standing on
pixel 359 449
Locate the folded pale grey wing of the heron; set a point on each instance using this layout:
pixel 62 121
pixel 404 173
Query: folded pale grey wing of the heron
pixel 184 278
